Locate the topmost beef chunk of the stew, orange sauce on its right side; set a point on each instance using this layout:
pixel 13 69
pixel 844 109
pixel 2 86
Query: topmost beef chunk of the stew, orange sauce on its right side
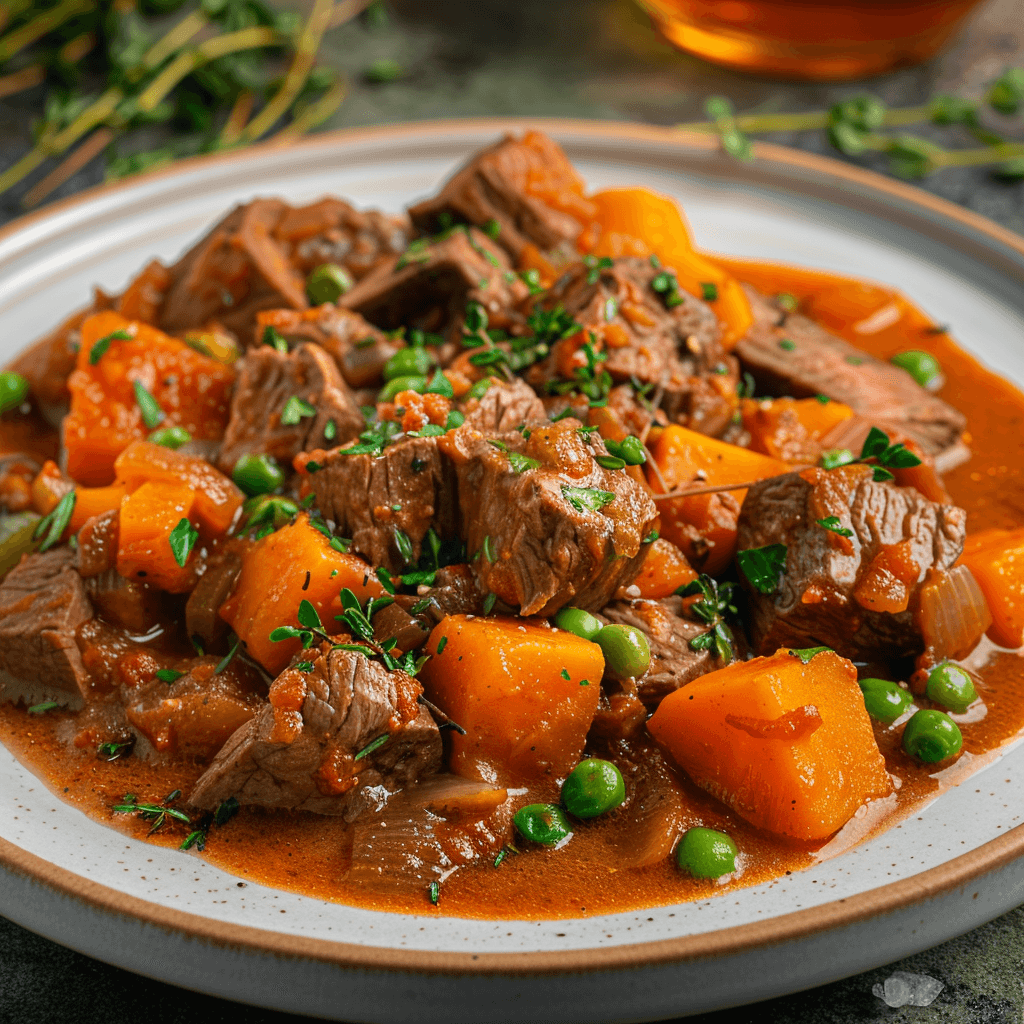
pixel 515 184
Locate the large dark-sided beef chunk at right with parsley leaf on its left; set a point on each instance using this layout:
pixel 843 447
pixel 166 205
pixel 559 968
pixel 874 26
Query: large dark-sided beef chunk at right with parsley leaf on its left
pixel 856 594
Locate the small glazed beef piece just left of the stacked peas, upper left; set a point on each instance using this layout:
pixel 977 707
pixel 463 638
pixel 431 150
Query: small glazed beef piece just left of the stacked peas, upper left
pixel 359 350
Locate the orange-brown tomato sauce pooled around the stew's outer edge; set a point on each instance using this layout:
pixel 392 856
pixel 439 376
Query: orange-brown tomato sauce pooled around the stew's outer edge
pixel 311 855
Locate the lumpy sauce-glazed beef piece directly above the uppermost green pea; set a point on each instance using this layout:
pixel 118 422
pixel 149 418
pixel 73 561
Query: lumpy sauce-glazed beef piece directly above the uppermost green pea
pixel 333 232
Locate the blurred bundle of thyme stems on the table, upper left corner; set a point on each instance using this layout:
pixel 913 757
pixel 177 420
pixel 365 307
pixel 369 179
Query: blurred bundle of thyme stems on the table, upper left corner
pixel 215 74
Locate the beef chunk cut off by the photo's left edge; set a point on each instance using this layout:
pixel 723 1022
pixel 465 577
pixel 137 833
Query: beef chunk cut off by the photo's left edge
pixel 42 604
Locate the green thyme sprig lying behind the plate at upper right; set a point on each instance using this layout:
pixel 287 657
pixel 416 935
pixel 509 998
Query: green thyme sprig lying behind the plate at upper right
pixel 854 127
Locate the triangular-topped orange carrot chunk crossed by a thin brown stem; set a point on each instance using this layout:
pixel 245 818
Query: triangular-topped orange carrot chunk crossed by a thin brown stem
pixel 705 526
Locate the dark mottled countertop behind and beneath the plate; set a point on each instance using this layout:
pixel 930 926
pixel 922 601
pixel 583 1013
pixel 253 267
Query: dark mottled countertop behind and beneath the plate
pixel 589 59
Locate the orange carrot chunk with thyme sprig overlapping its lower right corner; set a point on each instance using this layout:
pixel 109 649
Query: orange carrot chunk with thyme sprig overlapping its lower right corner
pixel 280 572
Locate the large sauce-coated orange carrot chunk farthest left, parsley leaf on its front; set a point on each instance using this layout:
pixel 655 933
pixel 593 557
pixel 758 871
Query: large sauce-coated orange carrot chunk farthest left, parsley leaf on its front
pixel 192 391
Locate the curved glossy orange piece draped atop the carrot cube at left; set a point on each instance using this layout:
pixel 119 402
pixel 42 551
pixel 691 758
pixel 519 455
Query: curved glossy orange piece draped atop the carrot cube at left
pixel 218 499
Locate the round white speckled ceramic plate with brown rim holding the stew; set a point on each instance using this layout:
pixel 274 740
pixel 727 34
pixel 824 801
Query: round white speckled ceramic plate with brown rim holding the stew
pixel 170 916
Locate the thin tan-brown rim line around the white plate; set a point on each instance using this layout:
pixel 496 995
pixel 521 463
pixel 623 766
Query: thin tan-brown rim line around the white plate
pixel 935 882
